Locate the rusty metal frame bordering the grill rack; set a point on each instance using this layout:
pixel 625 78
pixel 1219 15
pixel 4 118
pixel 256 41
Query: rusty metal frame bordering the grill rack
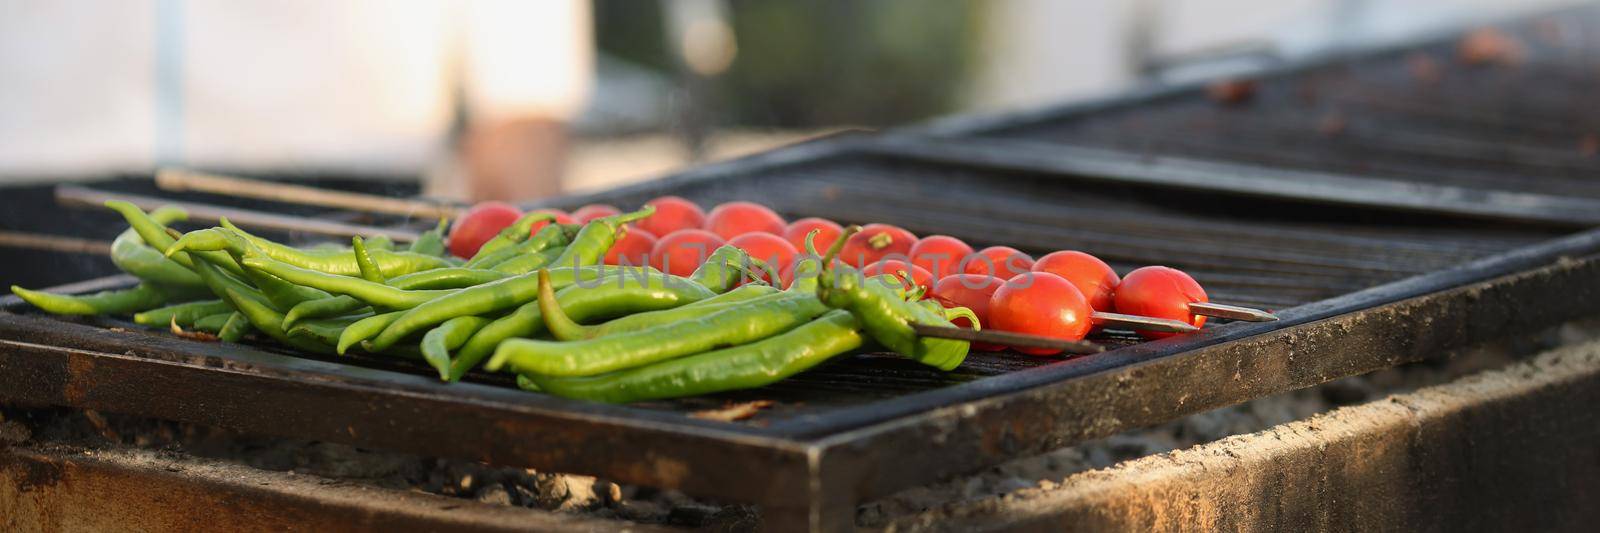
pixel 812 471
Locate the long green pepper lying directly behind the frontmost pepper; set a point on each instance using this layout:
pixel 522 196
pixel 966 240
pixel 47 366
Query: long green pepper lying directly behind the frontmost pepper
pixel 730 327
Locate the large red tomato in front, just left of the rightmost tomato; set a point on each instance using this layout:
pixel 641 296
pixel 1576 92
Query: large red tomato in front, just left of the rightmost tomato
pixel 1041 303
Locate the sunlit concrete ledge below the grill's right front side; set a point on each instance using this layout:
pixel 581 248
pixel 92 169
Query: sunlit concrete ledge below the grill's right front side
pixel 1514 449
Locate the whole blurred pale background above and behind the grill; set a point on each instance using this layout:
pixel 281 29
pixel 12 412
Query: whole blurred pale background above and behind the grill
pixel 522 100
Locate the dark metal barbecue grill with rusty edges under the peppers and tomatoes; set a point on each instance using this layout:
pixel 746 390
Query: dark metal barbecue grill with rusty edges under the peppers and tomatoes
pixel 1441 215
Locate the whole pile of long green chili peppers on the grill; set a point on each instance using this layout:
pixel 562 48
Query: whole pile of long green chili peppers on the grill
pixel 540 305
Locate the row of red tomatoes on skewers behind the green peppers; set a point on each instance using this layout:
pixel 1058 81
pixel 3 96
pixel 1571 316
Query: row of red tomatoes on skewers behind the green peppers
pixel 1007 289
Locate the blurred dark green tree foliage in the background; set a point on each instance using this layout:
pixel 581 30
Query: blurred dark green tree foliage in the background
pixel 804 65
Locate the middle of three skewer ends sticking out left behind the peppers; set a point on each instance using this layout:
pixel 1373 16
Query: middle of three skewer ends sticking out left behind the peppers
pixel 201 212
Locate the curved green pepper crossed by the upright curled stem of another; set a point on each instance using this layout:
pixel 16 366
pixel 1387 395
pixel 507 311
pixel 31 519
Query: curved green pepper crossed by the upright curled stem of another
pixel 580 303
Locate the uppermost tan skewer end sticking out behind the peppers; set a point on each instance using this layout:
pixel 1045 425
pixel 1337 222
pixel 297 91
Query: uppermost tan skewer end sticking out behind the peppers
pixel 185 180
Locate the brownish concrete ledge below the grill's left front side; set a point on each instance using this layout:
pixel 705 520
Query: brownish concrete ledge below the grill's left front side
pixel 62 489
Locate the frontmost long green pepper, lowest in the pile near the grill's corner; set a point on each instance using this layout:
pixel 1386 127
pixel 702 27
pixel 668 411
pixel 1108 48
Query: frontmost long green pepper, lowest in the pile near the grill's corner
pixel 738 367
